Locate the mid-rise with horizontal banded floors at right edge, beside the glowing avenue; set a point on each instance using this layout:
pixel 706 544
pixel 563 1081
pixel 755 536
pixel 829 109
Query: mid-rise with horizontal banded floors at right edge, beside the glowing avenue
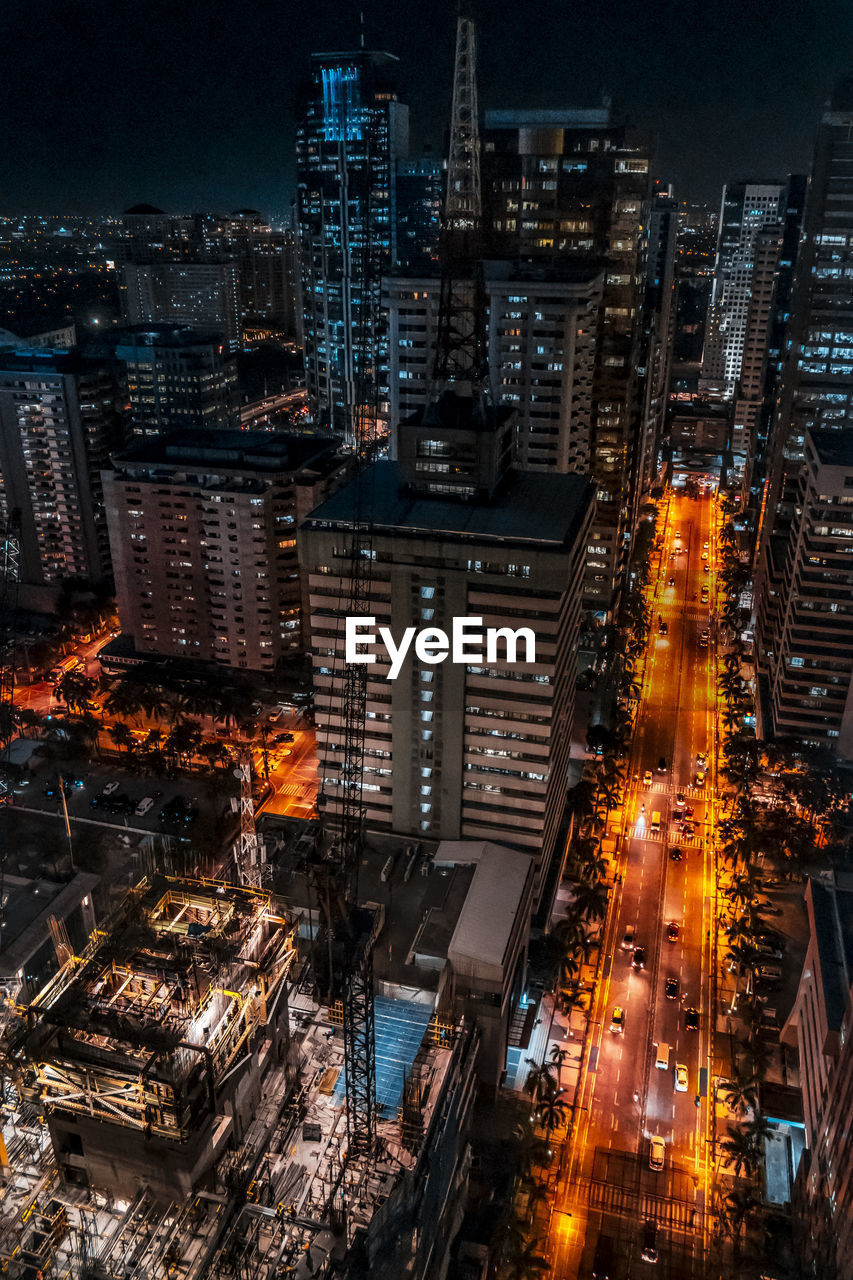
pixel 806 610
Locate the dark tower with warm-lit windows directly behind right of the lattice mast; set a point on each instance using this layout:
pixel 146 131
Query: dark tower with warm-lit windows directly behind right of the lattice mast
pixel 568 186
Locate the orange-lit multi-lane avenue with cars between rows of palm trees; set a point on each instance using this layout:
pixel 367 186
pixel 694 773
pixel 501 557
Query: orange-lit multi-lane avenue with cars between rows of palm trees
pixel 626 1100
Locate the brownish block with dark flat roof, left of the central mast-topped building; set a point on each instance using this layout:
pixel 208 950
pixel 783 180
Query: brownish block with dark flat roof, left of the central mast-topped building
pixel 203 531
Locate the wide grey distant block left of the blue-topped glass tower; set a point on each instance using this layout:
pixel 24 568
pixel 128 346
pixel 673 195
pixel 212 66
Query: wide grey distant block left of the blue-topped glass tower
pixel 200 295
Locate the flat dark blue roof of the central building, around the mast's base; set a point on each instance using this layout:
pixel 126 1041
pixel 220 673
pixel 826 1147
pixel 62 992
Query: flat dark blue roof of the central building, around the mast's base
pixel 545 510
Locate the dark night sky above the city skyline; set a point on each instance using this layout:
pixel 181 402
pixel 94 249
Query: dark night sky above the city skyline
pixel 190 104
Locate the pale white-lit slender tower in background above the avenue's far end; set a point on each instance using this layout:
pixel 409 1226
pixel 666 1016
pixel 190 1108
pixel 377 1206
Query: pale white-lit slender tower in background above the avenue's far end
pixel 746 209
